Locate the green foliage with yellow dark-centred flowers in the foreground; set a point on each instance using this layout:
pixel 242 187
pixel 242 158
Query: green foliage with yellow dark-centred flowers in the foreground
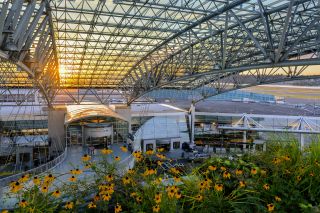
pixel 283 179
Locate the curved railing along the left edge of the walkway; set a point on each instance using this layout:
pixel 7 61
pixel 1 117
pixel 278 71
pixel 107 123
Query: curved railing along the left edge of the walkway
pixel 38 170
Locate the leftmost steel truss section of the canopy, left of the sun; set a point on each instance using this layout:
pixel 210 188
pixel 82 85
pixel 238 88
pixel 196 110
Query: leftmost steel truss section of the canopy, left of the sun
pixel 28 56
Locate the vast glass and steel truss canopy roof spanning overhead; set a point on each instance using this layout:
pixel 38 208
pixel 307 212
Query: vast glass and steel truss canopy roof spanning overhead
pixel 134 46
